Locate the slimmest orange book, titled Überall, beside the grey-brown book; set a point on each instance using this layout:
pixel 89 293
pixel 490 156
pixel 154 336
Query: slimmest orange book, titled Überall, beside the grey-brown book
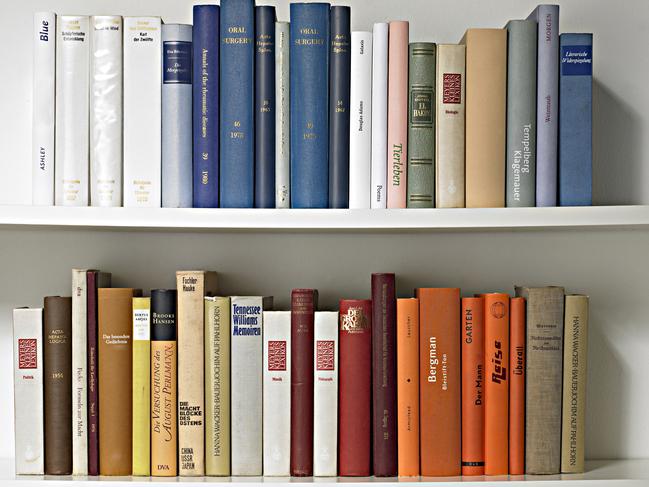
pixel 517 387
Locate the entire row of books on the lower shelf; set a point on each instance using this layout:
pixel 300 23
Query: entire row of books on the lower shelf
pixel 186 383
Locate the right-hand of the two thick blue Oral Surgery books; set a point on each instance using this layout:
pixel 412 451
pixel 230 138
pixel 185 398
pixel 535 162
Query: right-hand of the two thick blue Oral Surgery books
pixel 309 85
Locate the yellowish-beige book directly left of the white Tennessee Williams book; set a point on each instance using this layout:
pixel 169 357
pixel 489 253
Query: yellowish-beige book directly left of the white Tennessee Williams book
pixel 217 386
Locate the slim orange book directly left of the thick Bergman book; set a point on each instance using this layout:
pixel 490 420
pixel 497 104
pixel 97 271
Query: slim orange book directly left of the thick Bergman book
pixel 408 386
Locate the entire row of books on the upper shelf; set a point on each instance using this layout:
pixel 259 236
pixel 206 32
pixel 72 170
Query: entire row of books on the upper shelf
pixel 242 111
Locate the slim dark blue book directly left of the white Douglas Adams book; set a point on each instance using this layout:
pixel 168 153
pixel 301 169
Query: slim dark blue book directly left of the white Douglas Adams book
pixel 339 80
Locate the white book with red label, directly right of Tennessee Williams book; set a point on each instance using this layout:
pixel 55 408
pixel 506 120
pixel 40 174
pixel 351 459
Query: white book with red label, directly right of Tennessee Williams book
pixel 277 393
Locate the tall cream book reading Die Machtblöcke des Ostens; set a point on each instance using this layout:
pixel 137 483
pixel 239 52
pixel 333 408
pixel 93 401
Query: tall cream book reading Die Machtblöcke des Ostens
pixel 192 287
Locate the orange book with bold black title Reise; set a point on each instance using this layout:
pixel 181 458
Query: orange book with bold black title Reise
pixel 497 384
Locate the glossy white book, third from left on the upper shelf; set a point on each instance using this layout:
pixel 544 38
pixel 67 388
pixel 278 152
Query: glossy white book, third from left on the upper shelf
pixel 106 111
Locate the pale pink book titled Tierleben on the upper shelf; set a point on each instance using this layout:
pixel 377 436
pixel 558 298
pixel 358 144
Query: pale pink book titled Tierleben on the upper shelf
pixel 397 113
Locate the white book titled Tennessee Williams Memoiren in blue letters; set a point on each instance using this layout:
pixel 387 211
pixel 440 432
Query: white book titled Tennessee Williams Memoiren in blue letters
pixel 246 355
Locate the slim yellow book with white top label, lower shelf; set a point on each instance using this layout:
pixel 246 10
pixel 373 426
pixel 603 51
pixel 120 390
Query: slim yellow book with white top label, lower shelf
pixel 142 386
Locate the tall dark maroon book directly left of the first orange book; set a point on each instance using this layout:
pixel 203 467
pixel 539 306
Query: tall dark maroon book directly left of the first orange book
pixel 384 375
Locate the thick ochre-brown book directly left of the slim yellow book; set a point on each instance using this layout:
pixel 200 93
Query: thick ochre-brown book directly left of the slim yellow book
pixel 115 315
